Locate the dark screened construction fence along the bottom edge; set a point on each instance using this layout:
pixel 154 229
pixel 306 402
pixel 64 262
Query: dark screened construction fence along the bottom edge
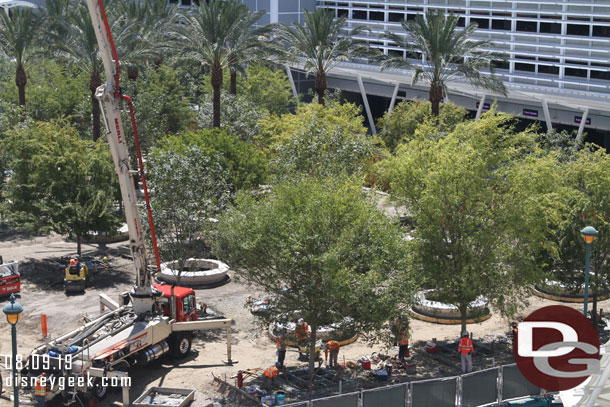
pixel 484 387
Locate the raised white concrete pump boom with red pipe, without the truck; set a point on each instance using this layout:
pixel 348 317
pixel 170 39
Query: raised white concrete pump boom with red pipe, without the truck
pixel 110 97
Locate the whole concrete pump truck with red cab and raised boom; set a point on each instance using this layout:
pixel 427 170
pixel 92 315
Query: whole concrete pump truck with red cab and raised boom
pixel 147 322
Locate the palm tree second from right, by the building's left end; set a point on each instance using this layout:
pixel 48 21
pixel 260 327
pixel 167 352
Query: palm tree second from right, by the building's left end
pixel 321 43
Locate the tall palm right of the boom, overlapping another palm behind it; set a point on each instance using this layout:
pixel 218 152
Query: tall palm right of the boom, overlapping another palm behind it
pixel 208 34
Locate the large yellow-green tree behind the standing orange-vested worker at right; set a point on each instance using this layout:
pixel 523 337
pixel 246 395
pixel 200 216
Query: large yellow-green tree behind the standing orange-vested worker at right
pixel 464 210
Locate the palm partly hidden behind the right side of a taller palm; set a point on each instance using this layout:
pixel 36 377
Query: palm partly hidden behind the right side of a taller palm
pixel 249 43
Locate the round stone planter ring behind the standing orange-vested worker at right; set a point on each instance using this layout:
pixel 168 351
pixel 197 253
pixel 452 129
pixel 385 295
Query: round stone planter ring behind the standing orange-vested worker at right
pixel 443 313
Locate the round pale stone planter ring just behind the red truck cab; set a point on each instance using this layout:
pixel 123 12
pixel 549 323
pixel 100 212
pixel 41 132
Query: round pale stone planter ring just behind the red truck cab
pixel 196 272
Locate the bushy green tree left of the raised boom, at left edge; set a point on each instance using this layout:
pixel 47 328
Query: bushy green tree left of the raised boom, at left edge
pixel 60 182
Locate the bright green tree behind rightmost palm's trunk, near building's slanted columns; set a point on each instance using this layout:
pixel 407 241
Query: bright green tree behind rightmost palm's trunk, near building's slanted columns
pixel 400 126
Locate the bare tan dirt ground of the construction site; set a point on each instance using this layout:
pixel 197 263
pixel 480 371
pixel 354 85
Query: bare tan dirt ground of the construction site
pixel 42 292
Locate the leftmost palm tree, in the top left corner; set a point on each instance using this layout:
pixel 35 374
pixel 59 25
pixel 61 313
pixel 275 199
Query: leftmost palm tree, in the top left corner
pixel 17 34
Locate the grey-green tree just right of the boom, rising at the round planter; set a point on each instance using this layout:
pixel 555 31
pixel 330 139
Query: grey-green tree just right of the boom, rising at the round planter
pixel 196 180
